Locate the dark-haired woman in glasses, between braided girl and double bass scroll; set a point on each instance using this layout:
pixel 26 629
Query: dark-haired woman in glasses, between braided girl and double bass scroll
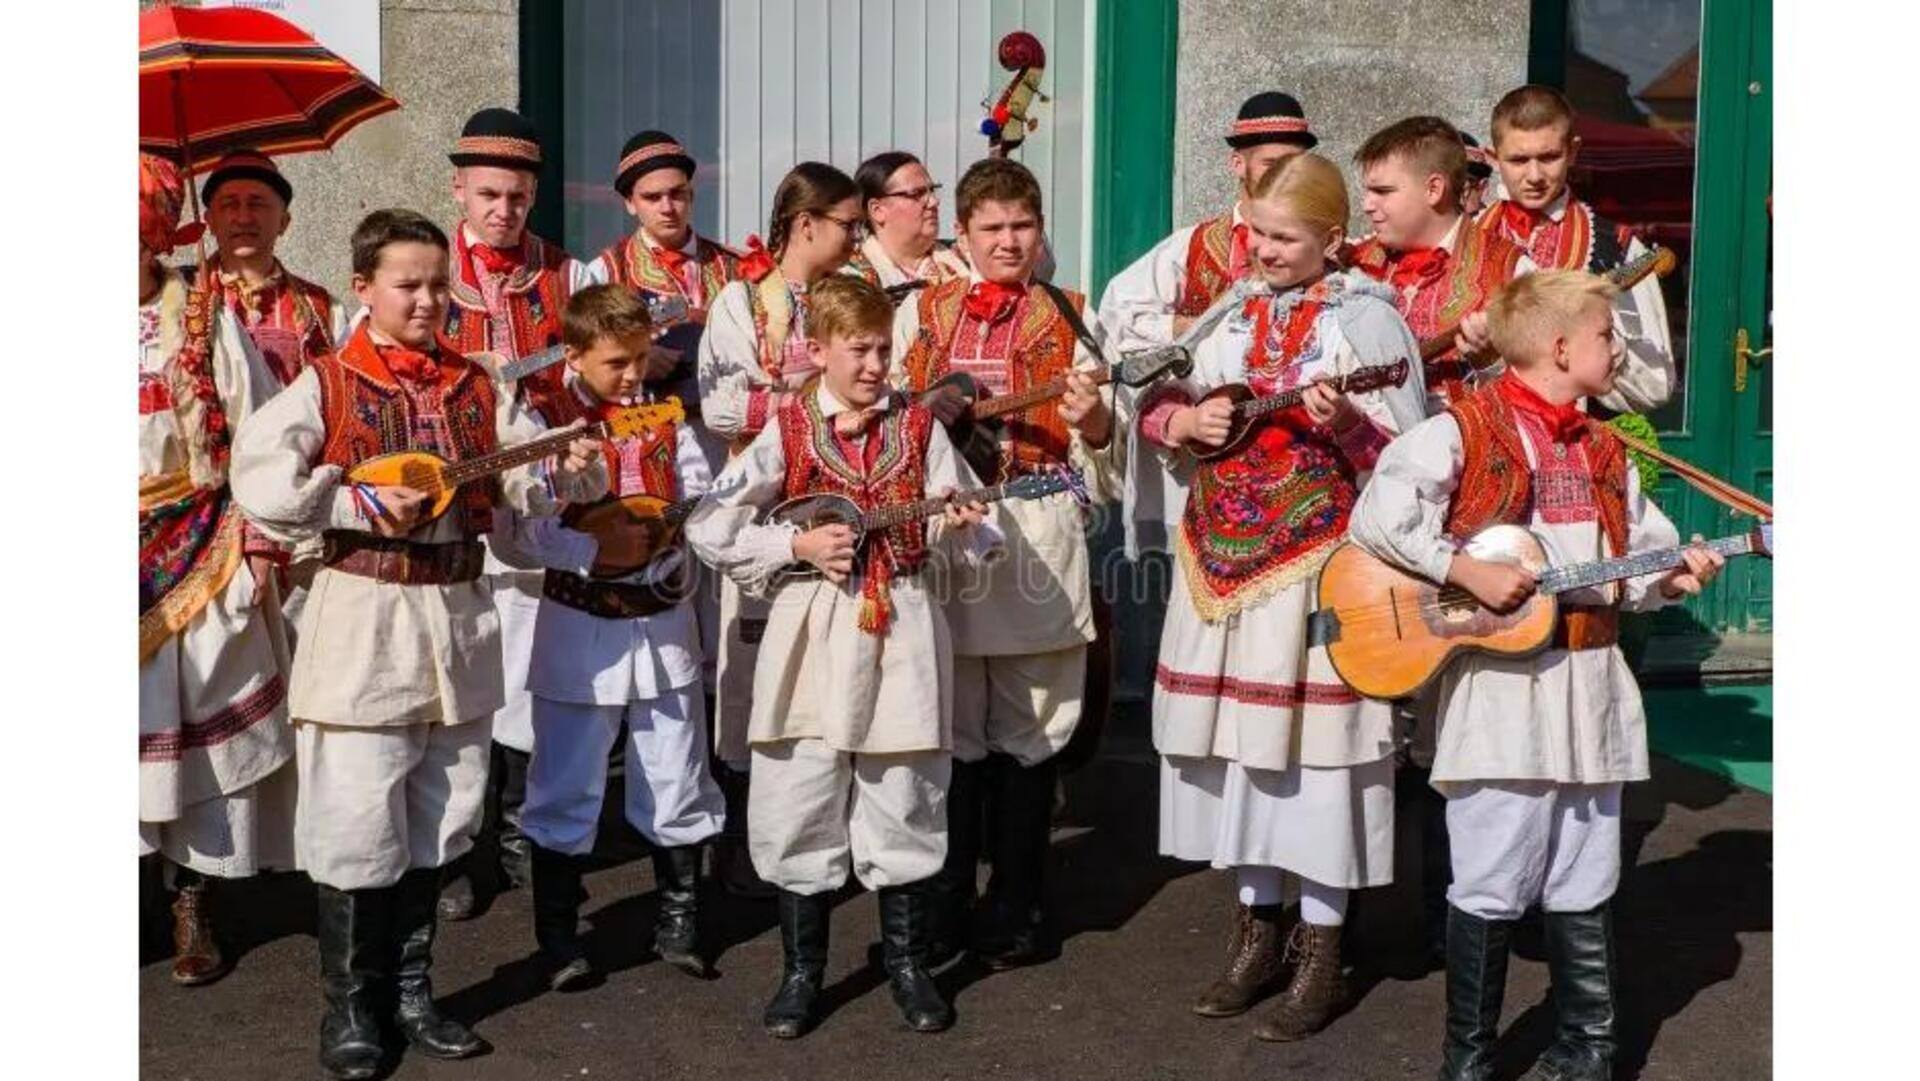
pixel 903 216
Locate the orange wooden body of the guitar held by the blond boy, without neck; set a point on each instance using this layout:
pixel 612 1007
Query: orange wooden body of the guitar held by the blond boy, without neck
pixel 1397 633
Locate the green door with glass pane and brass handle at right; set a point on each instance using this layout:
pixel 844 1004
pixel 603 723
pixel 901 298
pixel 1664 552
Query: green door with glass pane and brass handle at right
pixel 1694 80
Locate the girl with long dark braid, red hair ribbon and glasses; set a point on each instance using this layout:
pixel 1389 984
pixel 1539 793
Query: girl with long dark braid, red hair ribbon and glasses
pixel 752 356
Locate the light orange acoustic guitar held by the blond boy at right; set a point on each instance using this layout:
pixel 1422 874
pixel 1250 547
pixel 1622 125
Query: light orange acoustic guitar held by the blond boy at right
pixel 1389 633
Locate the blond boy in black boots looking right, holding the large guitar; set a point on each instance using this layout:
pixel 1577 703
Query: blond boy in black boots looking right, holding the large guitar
pixel 1533 752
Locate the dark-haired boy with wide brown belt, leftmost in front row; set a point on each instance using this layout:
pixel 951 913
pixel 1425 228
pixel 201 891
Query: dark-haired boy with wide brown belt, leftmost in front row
pixel 400 660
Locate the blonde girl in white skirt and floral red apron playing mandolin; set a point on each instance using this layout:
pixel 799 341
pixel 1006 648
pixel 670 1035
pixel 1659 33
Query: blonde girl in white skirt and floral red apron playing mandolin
pixel 1270 763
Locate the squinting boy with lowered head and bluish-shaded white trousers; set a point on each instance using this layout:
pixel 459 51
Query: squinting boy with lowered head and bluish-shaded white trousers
pixel 617 648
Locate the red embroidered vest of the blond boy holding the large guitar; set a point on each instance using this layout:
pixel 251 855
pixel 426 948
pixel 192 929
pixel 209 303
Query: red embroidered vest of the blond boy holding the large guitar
pixel 1497 485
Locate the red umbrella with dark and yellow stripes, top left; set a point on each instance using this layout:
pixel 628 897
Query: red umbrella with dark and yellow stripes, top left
pixel 216 80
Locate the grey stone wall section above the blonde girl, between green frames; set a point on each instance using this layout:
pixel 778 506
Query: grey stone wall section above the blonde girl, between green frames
pixel 1355 64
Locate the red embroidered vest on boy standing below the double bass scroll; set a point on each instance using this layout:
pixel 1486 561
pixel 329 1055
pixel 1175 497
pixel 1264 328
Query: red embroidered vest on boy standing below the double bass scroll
pixel 1042 350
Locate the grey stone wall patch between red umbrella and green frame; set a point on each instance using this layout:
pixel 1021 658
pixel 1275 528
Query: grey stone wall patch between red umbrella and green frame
pixel 444 60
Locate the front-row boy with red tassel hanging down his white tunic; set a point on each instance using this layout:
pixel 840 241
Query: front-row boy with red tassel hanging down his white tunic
pixel 852 700
